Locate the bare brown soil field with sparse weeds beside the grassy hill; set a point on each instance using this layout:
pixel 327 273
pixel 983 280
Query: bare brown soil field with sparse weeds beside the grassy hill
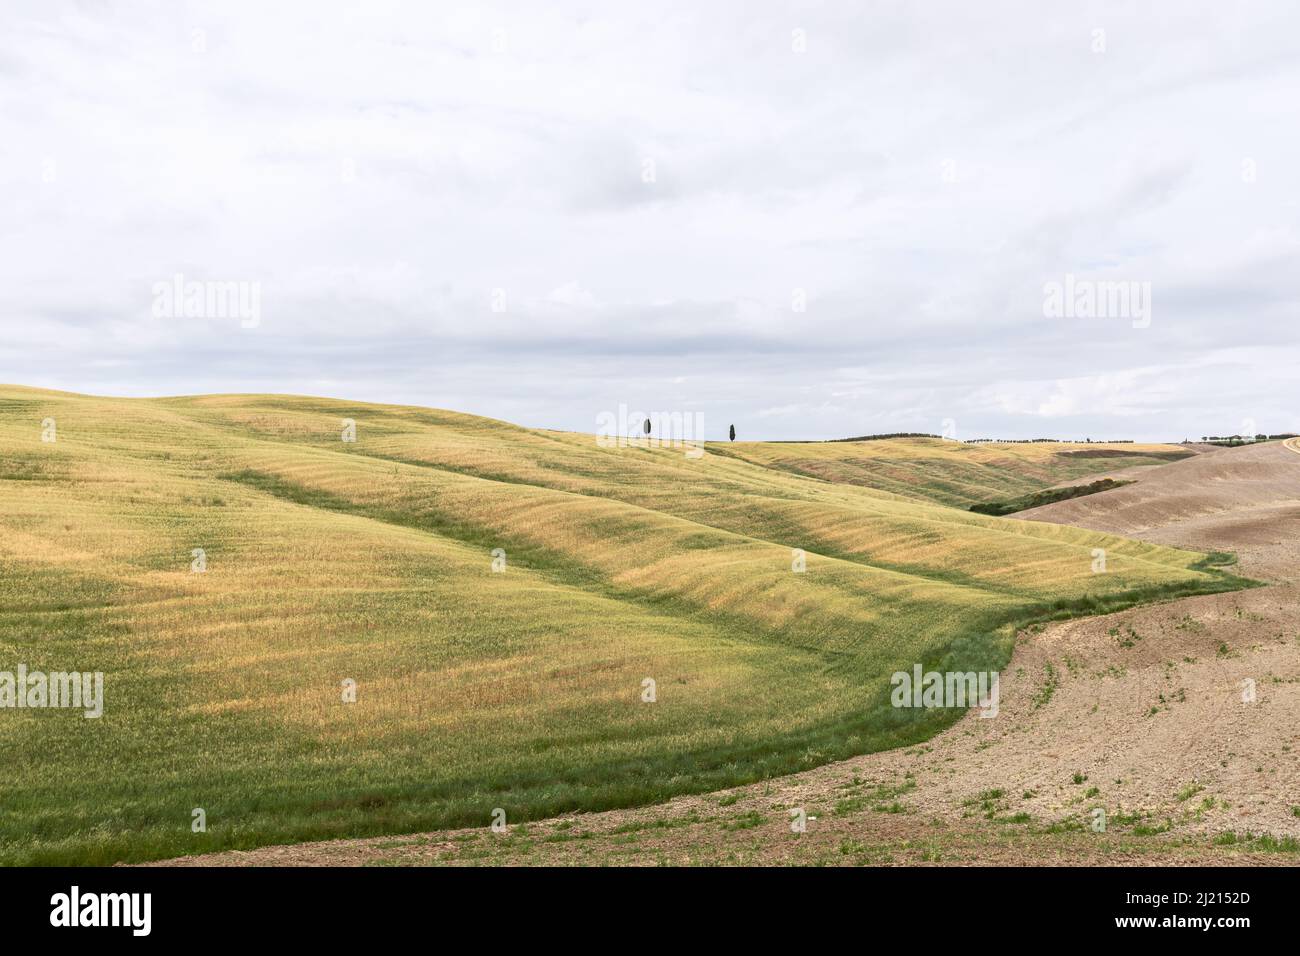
pixel 1177 721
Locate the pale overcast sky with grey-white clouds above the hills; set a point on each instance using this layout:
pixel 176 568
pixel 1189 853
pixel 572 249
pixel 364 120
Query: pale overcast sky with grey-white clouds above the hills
pixel 808 220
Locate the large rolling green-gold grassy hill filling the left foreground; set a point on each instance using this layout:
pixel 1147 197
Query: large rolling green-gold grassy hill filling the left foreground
pixel 522 690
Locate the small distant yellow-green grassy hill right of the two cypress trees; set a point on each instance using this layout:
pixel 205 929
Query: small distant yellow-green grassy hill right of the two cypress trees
pixel 948 471
